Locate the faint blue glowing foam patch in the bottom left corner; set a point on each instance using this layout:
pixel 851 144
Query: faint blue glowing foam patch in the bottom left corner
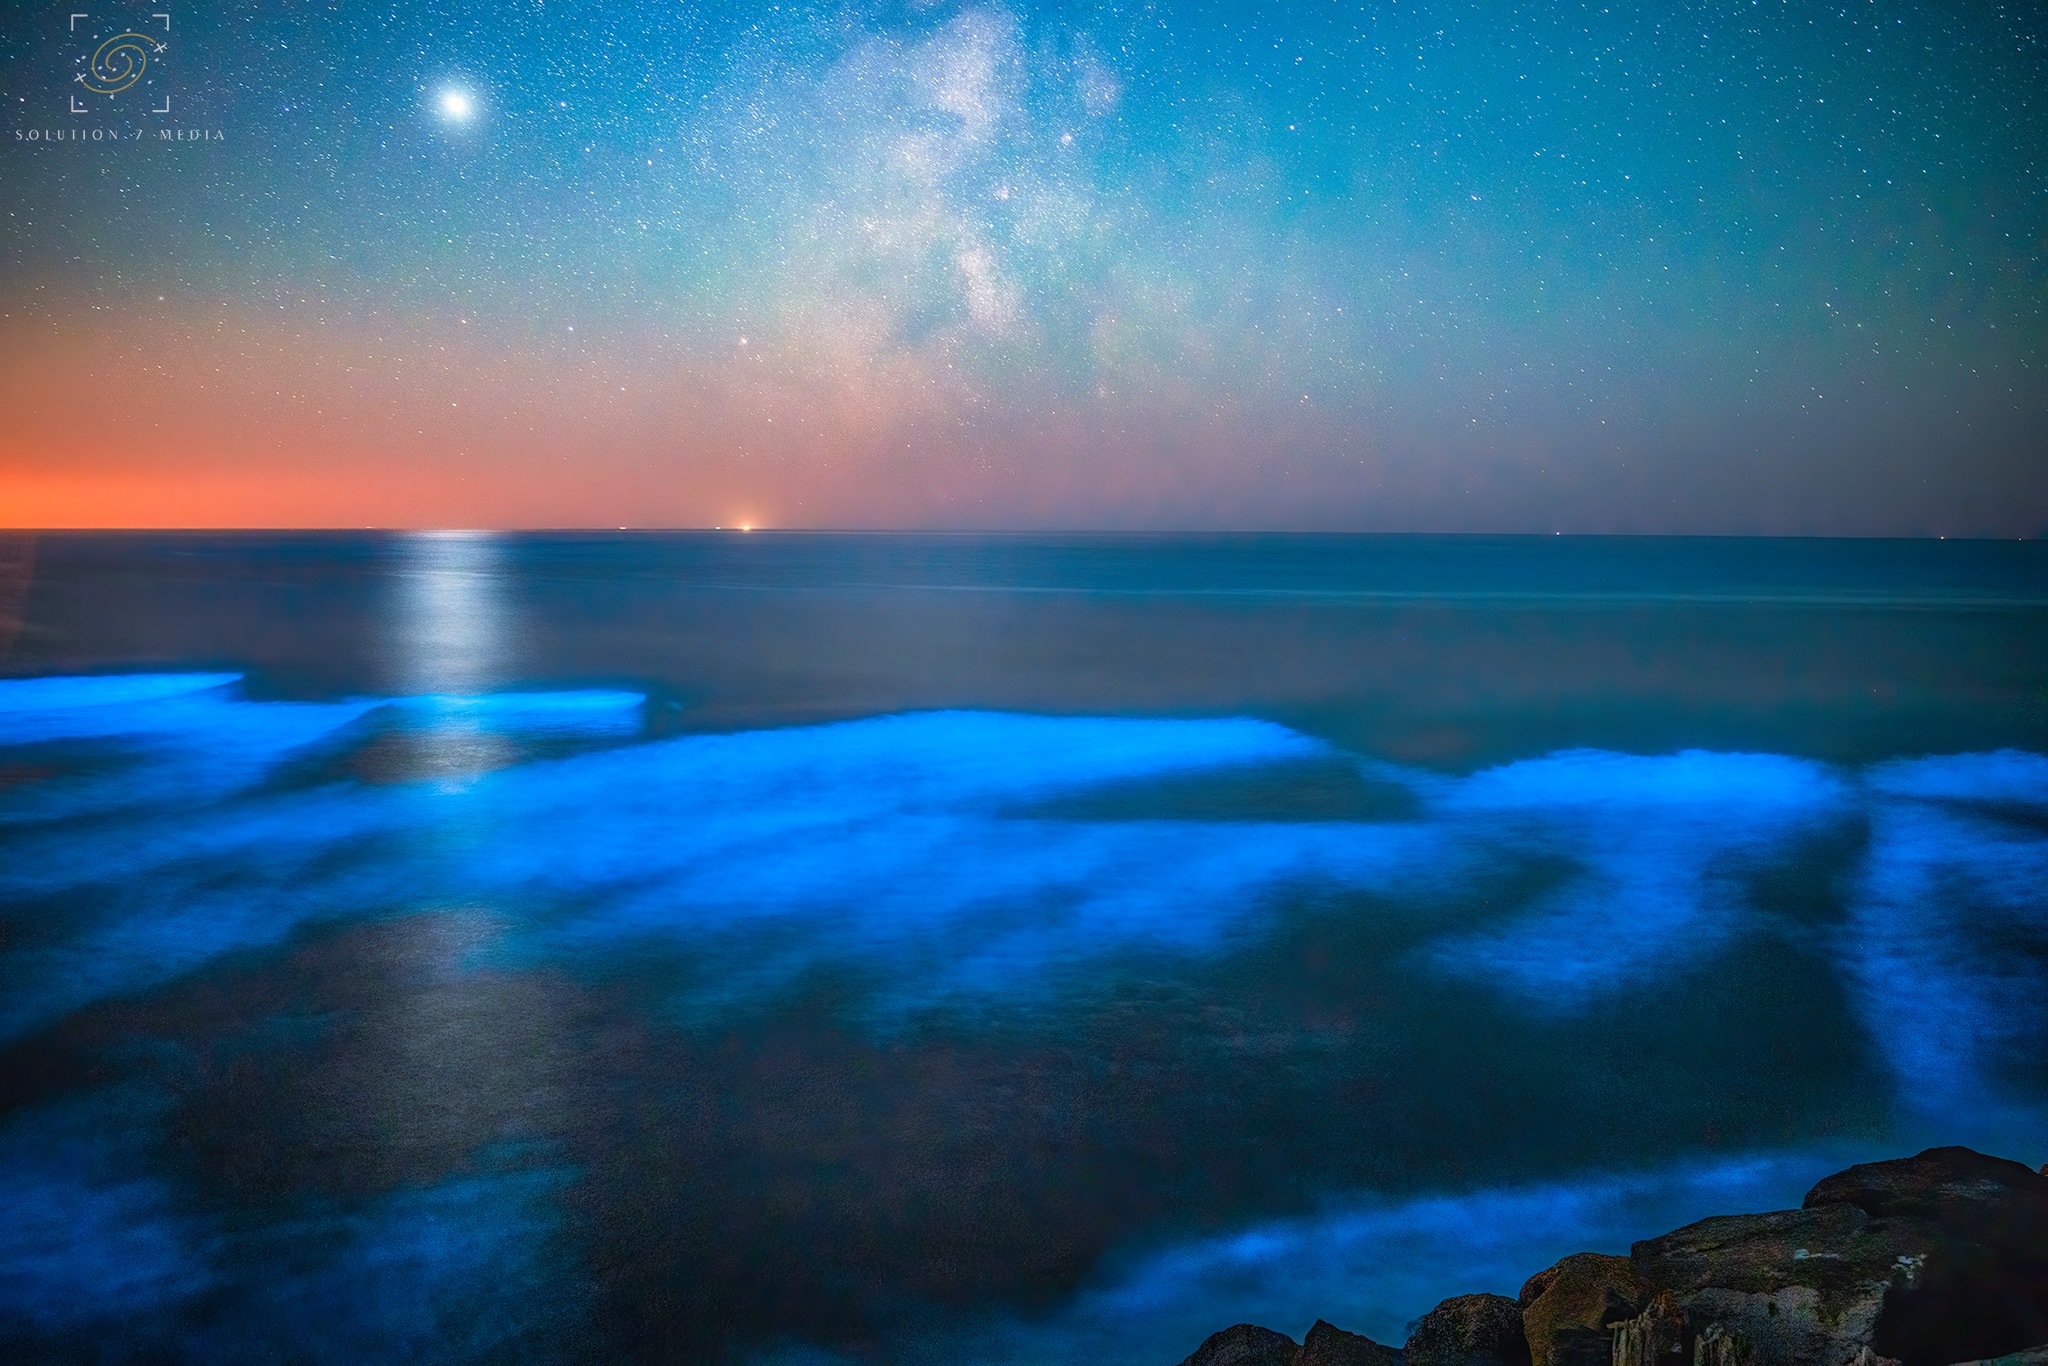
pixel 87 1242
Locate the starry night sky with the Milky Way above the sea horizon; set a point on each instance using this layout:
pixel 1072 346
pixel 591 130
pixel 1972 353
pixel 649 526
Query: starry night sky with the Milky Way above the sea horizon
pixel 1390 265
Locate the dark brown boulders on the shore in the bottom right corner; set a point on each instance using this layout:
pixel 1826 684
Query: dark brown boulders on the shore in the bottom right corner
pixel 1930 1261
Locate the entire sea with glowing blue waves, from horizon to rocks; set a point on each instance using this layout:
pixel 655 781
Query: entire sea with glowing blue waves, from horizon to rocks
pixel 810 949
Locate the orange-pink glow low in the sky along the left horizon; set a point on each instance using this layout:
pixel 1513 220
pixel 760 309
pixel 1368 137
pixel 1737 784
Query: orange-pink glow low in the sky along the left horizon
pixel 230 419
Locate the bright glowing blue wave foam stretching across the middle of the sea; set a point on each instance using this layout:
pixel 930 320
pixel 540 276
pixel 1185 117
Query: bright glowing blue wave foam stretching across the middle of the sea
pixel 906 845
